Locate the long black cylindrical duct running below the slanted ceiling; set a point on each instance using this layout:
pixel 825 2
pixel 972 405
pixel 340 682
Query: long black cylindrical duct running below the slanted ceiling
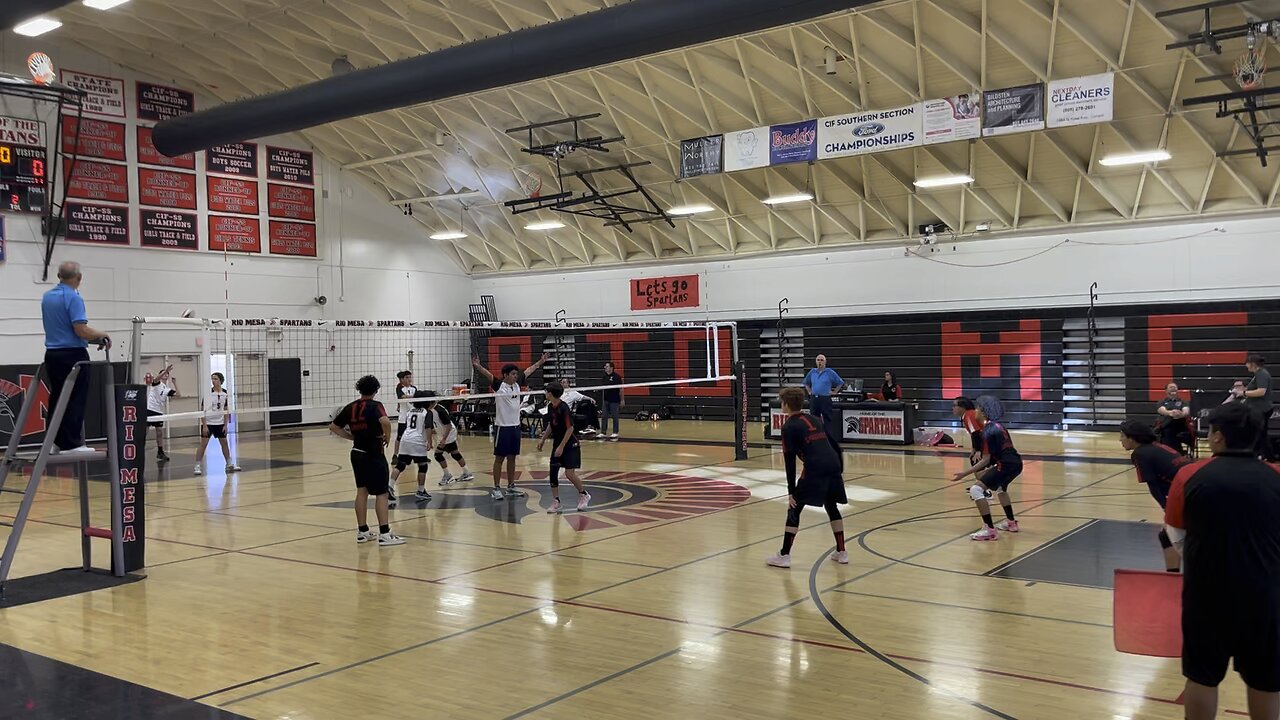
pixel 632 30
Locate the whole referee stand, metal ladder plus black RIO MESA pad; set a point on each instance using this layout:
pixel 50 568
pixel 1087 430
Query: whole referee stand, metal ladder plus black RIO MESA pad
pixel 125 421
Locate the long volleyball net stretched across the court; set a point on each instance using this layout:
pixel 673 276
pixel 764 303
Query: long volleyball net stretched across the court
pixel 286 373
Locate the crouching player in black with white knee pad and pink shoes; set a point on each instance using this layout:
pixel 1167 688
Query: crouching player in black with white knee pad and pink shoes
pixel 1000 466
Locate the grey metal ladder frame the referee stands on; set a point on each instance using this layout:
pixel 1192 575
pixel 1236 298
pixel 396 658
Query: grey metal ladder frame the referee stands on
pixel 44 458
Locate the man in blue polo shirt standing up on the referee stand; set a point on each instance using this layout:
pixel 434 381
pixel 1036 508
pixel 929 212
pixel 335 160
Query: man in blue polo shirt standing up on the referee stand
pixel 67 338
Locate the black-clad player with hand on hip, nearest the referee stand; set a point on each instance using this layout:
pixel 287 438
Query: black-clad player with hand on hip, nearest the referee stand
pixel 365 423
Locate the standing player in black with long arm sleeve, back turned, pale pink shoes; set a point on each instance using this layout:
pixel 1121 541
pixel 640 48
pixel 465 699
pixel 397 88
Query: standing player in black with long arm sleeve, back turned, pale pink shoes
pixel 820 484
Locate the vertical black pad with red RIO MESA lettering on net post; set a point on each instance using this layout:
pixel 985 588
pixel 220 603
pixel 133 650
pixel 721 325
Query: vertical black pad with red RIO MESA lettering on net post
pixel 131 453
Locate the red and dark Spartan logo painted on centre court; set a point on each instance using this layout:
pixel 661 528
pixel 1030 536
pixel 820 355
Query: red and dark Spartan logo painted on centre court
pixel 618 499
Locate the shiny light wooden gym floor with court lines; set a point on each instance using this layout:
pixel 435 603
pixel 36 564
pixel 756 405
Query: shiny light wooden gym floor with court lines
pixel 656 604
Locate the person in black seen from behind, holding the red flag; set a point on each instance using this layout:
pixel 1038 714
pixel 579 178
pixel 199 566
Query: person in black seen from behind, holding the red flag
pixel 1223 513
